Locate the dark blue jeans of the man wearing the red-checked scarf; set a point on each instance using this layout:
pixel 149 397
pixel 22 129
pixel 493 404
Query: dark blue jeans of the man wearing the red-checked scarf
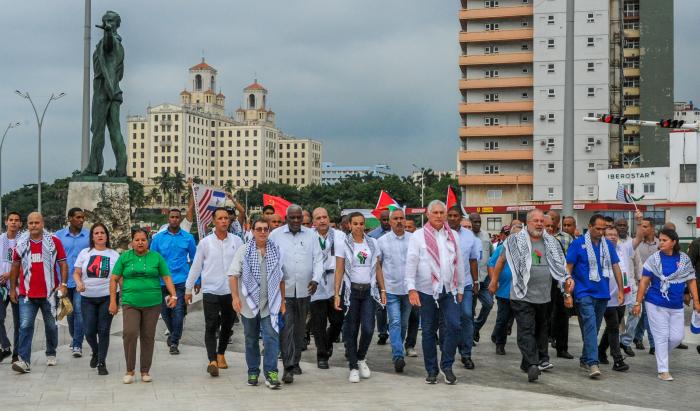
pixel 449 311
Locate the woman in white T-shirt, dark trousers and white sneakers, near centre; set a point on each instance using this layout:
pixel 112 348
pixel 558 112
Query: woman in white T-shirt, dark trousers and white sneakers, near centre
pixel 357 269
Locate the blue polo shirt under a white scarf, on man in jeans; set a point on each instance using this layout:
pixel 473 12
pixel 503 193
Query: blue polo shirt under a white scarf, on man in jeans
pixel 578 256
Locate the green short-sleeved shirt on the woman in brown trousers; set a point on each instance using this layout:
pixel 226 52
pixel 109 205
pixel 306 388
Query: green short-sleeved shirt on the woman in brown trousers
pixel 141 273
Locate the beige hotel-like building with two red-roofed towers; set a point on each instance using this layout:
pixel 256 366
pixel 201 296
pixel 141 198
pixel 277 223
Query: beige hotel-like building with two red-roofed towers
pixel 197 138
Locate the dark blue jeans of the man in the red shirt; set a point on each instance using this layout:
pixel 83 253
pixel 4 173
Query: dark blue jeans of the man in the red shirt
pixel 28 310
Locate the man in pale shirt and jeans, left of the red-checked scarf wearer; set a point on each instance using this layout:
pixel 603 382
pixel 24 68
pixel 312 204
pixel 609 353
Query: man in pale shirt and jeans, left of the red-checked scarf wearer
pixel 393 247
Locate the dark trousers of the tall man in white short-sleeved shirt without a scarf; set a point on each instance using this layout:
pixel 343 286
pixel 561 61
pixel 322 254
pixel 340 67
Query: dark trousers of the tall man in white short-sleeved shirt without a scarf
pixel 294 330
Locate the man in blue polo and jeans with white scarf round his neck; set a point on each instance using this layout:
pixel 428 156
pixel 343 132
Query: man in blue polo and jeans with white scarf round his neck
pixel 592 289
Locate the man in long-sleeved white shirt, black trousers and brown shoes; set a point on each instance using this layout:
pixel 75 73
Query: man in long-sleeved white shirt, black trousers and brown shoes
pixel 211 261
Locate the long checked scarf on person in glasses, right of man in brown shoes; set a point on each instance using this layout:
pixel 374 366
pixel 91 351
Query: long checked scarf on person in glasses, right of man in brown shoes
pixel 251 279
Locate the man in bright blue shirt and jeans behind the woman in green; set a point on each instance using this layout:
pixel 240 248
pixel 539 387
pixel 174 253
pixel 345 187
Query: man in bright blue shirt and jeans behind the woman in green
pixel 177 248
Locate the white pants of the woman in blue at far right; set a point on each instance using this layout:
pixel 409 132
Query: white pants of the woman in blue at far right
pixel 667 327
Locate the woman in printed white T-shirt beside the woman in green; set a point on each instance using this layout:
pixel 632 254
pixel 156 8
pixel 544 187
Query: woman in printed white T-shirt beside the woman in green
pixel 92 272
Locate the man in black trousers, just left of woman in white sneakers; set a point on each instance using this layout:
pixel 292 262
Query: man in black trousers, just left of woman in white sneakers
pixel 323 314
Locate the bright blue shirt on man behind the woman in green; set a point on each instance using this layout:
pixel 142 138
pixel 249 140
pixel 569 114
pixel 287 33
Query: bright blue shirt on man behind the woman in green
pixel 178 251
